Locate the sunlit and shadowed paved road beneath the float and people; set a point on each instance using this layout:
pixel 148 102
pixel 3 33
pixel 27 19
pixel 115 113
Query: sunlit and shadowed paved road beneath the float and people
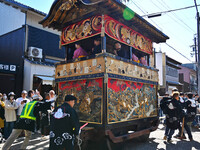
pixel 155 142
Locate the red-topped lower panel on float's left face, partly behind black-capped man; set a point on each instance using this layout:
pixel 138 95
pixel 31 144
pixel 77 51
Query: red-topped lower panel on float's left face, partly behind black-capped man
pixel 89 94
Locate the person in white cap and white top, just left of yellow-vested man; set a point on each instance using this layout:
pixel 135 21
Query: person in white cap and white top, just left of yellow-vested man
pixel 21 101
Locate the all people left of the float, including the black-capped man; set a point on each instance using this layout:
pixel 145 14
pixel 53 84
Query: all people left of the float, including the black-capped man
pixel 32 113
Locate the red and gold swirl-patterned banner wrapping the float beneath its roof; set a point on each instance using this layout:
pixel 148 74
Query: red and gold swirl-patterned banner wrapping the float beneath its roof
pixel 113 28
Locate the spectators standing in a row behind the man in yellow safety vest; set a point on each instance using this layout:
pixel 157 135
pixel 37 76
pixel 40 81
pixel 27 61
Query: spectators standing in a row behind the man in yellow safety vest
pixel 11 109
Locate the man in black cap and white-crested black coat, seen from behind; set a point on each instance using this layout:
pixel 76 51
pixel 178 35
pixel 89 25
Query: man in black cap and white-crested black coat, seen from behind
pixel 64 125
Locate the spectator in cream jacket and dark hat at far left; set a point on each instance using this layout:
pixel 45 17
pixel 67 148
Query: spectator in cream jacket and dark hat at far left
pixel 10 114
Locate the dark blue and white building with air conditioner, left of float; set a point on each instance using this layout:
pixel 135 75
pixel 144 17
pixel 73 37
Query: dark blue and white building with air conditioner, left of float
pixel 28 51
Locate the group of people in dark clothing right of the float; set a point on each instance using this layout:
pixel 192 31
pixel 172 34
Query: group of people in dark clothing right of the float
pixel 180 112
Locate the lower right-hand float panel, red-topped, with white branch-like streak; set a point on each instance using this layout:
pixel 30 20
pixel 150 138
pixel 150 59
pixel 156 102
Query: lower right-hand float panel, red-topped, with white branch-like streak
pixel 130 100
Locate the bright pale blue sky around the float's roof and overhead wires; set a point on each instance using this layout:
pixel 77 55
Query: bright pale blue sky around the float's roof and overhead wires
pixel 180 26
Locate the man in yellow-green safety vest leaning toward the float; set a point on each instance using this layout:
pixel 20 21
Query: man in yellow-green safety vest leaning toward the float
pixel 26 122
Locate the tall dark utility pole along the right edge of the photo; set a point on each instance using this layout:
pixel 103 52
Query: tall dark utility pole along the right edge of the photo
pixel 198 44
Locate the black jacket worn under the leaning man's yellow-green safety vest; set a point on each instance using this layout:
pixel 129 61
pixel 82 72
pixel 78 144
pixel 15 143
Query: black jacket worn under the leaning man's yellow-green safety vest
pixel 28 124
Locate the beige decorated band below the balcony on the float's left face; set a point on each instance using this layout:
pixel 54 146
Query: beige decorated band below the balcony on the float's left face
pixel 85 67
